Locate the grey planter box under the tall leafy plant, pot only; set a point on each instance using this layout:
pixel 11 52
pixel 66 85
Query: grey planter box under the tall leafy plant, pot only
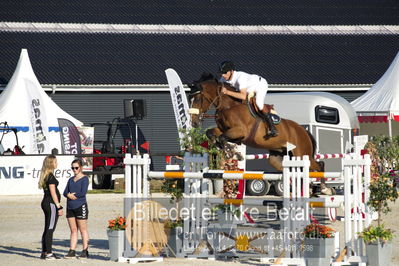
pixel 379 253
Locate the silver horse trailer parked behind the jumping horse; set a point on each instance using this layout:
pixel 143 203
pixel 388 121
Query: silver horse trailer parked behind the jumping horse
pixel 328 117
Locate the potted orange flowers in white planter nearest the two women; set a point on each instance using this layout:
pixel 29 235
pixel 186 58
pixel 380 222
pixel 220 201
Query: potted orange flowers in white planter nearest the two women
pixel 115 231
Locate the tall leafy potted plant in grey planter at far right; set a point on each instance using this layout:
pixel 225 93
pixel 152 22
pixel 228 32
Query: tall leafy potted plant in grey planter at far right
pixel 385 154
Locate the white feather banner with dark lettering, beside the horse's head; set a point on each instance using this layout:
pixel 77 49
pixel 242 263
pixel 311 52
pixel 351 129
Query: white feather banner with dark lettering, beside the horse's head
pixel 179 101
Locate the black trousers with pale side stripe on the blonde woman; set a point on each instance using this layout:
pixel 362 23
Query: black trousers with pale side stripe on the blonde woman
pixel 50 222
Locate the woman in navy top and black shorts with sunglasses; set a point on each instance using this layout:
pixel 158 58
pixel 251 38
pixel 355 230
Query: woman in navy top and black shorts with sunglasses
pixel 77 210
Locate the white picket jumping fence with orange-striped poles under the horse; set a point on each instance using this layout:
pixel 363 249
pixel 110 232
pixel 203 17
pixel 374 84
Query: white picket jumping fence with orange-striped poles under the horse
pixel 296 179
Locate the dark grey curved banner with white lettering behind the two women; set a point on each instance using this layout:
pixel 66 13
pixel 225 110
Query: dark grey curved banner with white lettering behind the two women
pixel 70 140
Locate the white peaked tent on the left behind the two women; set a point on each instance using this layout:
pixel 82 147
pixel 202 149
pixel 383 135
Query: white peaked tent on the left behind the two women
pixel 24 105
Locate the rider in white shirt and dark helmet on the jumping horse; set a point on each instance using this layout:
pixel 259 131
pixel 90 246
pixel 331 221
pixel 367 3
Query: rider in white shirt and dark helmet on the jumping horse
pixel 245 84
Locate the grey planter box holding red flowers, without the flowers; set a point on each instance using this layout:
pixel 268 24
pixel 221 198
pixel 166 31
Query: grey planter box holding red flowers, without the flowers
pixel 318 251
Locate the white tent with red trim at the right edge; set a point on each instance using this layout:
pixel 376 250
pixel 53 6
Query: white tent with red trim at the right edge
pixel 381 102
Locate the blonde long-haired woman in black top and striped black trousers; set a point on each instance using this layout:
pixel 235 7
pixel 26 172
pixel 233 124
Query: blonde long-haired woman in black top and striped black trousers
pixel 50 205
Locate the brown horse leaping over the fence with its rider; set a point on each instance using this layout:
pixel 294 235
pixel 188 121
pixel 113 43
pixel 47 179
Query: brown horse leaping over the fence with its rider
pixel 236 124
